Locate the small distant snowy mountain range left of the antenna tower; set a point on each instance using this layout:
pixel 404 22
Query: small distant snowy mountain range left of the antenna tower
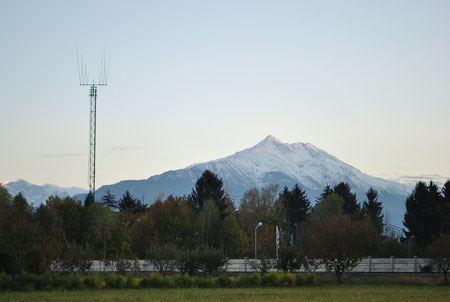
pixel 36 195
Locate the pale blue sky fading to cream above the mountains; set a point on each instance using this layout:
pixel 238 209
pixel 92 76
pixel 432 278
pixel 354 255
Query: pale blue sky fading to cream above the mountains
pixel 192 81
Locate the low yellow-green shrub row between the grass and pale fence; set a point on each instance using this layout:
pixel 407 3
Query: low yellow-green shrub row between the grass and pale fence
pixel 30 282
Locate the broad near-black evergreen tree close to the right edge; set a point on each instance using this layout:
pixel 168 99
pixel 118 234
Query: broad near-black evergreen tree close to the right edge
pixel 422 216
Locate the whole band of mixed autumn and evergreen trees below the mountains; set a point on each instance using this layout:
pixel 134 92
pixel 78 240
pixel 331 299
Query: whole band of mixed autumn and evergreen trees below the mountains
pixel 336 231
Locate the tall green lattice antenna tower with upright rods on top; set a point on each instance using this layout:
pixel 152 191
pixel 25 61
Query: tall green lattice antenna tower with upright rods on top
pixel 102 80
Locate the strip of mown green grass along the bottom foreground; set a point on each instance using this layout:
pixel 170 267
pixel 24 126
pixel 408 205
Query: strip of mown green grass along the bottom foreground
pixel 337 293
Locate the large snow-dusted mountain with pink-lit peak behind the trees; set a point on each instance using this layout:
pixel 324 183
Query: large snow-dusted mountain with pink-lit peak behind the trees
pixel 270 162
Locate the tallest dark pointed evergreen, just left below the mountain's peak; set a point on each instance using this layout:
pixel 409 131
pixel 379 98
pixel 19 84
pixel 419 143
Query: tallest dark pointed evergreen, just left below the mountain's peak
pixel 209 187
